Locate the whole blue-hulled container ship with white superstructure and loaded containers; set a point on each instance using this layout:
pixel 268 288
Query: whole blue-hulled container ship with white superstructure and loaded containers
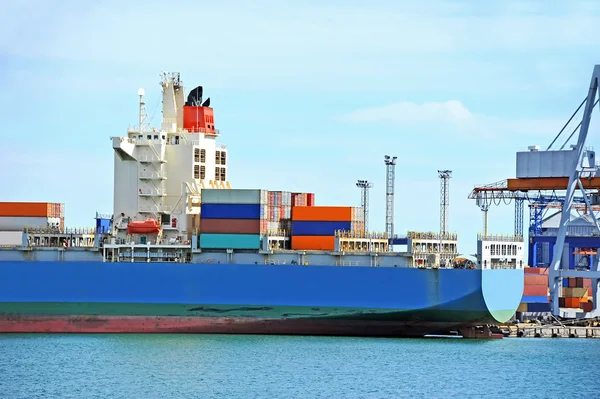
pixel 185 252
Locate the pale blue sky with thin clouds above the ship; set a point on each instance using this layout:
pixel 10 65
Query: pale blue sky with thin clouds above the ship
pixel 308 95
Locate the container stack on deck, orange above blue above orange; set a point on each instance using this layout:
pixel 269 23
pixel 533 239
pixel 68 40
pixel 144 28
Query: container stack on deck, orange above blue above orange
pixel 314 227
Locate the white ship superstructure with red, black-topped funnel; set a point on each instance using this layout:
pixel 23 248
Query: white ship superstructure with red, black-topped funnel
pixel 159 173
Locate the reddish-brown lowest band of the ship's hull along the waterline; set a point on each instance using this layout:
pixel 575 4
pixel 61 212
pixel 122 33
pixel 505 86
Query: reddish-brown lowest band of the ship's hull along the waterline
pixel 196 325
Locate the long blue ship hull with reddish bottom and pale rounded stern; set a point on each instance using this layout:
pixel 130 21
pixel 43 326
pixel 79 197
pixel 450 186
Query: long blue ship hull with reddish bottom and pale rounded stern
pixel 250 298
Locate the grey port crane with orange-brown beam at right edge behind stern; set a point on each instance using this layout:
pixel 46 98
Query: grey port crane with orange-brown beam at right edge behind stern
pixel 579 173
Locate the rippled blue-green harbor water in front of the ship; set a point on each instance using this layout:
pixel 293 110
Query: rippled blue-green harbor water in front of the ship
pixel 217 366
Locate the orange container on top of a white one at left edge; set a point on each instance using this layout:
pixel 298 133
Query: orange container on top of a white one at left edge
pixel 16 215
